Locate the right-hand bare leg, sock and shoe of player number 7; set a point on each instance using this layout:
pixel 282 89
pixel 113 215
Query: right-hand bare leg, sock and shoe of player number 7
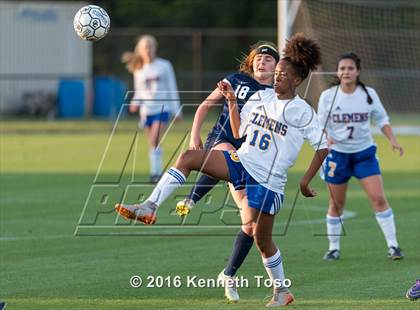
pixel 384 215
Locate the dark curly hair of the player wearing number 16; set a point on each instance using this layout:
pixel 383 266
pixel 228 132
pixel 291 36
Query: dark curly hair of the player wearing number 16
pixel 303 53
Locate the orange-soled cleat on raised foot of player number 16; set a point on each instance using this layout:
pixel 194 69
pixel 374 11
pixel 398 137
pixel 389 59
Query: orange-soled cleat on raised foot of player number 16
pixel 145 212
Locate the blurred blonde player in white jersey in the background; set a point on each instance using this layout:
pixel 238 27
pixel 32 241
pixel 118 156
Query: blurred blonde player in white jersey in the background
pixel 155 96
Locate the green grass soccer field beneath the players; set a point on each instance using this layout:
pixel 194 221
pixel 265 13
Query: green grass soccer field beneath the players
pixel 47 170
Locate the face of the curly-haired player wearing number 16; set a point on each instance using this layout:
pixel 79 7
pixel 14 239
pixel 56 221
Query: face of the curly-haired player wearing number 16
pixel 285 78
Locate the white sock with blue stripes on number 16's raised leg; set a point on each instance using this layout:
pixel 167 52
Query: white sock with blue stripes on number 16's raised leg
pixel 168 183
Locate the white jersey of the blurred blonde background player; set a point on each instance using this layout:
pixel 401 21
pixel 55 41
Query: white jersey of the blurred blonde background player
pixel 155 88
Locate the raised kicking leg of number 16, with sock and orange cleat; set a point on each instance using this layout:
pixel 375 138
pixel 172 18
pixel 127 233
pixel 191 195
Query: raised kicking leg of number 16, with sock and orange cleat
pixel 210 162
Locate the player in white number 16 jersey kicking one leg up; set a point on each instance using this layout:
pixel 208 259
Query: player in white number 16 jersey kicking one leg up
pixel 271 138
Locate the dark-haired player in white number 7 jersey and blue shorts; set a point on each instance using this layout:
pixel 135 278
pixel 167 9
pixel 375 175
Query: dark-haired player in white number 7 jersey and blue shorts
pixel 347 109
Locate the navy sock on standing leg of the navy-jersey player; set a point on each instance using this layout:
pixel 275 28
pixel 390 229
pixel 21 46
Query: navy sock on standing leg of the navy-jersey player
pixel 243 243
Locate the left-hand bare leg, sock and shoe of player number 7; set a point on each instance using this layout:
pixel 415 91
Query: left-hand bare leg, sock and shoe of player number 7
pixel 334 219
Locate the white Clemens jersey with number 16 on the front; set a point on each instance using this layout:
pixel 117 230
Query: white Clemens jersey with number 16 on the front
pixel 276 130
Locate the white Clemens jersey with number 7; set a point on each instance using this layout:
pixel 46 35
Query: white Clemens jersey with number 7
pixel 349 122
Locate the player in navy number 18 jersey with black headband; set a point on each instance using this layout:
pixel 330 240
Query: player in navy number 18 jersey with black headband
pixel 256 72
